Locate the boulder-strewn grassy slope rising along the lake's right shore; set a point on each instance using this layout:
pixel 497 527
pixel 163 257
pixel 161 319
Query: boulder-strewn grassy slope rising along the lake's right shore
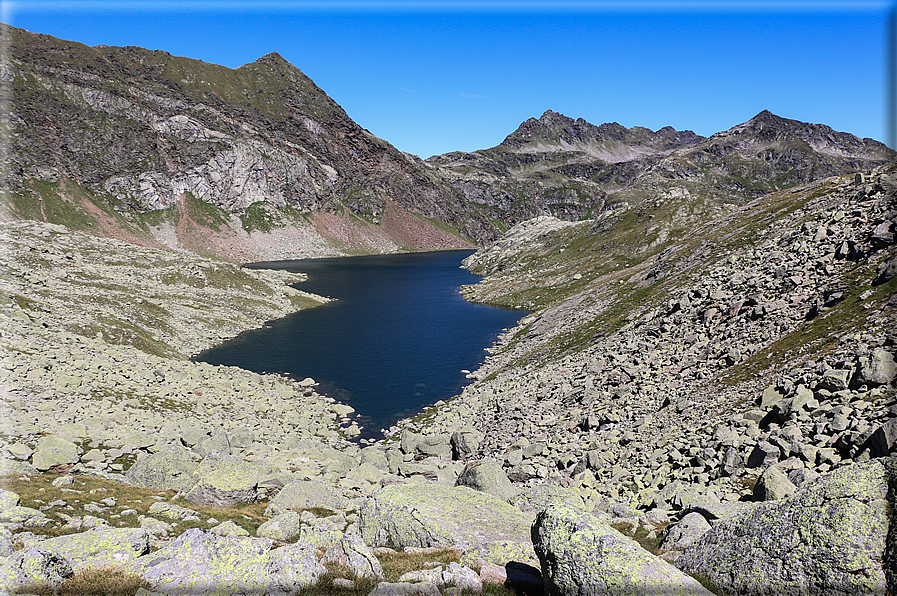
pixel 776 321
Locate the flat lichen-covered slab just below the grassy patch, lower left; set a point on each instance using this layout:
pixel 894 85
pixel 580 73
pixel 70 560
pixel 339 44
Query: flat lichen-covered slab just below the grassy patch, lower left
pixel 100 547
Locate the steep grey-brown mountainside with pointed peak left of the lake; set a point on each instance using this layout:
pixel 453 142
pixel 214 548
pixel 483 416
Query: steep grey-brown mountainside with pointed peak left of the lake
pixel 131 143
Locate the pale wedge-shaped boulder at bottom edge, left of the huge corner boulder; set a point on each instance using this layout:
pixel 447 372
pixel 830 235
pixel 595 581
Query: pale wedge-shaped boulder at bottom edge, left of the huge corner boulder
pixel 583 556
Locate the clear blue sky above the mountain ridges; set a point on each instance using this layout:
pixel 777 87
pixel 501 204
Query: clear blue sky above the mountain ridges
pixel 439 76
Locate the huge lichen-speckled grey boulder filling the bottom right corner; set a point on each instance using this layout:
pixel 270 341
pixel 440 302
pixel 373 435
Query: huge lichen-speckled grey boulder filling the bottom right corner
pixel 828 538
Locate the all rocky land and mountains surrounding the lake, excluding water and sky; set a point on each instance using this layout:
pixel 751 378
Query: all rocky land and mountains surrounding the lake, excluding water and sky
pixel 702 399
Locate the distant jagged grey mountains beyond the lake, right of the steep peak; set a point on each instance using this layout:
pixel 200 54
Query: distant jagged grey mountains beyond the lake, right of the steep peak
pixel 573 170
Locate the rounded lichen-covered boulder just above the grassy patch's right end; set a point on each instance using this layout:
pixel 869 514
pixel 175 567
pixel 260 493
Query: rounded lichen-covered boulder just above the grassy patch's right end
pixel 223 480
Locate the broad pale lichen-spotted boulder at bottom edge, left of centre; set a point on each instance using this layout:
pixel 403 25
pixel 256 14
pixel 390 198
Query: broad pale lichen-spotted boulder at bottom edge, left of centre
pixel 197 562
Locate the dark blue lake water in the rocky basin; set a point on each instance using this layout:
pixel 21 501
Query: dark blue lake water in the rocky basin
pixel 395 340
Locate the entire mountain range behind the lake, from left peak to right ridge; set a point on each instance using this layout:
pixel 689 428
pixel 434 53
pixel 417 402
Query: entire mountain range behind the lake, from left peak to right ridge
pixel 258 162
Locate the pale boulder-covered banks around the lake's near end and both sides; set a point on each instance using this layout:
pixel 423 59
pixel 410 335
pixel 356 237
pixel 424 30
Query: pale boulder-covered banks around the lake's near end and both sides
pixel 742 412
